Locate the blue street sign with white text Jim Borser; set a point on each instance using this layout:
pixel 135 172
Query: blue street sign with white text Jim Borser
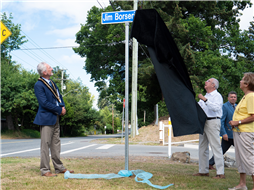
pixel 117 17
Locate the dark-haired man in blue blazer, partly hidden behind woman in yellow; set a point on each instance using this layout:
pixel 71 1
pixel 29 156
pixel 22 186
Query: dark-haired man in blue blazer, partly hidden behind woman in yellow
pixel 226 130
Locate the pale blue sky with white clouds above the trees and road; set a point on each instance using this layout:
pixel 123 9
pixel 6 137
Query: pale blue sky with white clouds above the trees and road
pixel 54 23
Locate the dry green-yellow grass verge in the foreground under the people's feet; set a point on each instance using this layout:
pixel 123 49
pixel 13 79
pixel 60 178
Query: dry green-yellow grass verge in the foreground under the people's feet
pixel 20 173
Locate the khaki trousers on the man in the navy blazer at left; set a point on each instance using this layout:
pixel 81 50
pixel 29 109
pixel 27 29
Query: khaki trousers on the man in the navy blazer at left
pixel 50 140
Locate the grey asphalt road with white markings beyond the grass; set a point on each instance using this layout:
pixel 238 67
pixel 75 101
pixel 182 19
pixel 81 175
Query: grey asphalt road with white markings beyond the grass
pixel 83 147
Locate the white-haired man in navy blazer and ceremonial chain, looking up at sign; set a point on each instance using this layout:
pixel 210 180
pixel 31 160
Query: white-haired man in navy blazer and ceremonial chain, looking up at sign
pixel 51 106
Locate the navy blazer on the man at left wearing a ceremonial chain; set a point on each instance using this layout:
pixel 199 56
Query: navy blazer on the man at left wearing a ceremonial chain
pixel 48 110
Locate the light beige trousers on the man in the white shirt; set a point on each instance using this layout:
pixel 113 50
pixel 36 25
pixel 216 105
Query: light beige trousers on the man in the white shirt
pixel 211 135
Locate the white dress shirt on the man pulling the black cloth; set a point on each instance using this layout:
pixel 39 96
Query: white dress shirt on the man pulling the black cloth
pixel 213 106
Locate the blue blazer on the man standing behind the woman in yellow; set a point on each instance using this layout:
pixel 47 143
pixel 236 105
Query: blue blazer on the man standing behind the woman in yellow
pixel 227 116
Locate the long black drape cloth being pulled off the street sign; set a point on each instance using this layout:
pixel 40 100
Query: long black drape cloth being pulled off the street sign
pixel 186 115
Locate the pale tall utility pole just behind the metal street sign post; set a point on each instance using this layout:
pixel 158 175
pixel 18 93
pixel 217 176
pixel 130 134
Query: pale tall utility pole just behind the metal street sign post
pixel 134 81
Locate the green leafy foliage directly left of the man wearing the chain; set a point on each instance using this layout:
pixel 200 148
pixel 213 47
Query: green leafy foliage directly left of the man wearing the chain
pixel 18 101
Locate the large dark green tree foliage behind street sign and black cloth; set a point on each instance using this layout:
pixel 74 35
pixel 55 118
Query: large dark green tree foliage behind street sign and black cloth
pixel 202 30
